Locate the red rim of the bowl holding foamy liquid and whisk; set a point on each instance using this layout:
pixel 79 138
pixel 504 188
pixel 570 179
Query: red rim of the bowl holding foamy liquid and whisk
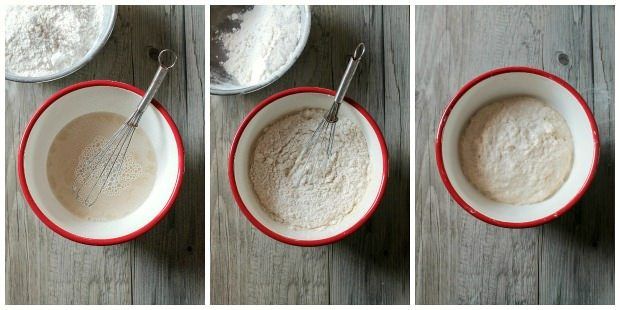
pixel 35 208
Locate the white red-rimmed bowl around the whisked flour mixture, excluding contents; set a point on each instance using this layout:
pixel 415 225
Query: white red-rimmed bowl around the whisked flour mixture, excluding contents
pixel 270 110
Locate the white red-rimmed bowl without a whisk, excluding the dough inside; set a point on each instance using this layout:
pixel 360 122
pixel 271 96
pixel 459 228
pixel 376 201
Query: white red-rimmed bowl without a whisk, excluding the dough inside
pixel 505 82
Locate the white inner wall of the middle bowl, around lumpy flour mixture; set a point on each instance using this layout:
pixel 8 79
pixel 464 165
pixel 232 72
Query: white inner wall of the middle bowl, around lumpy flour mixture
pixel 271 113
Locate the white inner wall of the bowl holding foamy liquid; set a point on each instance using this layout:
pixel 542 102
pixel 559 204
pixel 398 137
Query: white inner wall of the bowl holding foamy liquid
pixel 89 100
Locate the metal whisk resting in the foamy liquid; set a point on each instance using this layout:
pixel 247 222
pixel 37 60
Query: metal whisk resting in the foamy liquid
pixel 109 159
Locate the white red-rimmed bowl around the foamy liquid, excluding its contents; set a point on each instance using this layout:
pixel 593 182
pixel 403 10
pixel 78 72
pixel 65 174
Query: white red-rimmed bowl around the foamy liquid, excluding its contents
pixel 84 98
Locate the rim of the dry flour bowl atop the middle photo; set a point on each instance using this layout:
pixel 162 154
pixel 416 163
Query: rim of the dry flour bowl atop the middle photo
pixel 301 45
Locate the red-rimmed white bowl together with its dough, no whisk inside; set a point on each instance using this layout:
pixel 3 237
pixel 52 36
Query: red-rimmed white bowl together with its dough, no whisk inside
pixel 517 147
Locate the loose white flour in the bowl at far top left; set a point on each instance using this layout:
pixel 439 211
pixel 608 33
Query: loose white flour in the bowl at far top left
pixel 44 39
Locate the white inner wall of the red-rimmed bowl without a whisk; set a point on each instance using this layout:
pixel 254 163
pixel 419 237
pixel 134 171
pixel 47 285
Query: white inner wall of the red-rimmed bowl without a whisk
pixel 510 84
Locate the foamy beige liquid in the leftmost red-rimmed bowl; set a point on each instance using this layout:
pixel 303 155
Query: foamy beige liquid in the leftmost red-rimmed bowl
pixel 67 168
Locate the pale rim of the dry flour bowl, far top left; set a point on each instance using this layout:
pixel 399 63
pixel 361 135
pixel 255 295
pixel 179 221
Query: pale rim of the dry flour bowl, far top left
pixel 75 67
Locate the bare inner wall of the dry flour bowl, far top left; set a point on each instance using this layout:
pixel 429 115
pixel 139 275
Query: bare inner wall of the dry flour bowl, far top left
pixel 107 25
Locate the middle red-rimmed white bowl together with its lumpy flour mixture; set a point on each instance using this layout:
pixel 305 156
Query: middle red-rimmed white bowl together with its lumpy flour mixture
pixel 313 198
